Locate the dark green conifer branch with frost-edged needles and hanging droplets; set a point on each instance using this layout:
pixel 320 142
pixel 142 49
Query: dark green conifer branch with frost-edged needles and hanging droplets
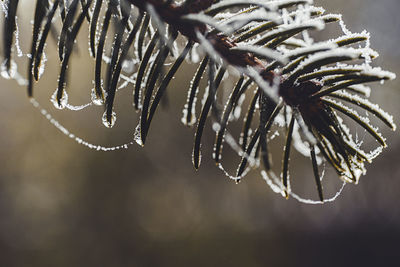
pixel 298 81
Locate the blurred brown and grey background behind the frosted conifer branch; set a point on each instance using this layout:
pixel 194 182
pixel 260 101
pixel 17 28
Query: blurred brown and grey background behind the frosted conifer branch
pixel 62 204
